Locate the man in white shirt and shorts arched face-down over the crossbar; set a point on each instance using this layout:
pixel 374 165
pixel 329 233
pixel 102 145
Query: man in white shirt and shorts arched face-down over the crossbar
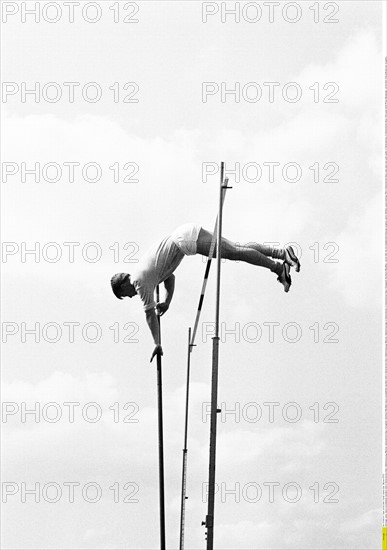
pixel 161 260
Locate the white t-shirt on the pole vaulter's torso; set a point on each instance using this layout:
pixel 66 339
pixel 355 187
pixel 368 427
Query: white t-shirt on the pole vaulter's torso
pixel 158 263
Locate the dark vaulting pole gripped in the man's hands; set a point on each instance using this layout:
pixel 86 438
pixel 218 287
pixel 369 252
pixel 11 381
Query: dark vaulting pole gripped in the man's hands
pixel 161 437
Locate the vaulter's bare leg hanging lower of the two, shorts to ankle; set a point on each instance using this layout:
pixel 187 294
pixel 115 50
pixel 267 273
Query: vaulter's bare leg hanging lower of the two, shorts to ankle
pixel 236 252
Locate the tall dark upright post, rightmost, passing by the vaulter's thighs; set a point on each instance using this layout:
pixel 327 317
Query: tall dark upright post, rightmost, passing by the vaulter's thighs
pixel 214 382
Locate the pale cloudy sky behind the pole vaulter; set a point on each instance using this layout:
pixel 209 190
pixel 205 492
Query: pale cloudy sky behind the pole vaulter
pixel 169 133
